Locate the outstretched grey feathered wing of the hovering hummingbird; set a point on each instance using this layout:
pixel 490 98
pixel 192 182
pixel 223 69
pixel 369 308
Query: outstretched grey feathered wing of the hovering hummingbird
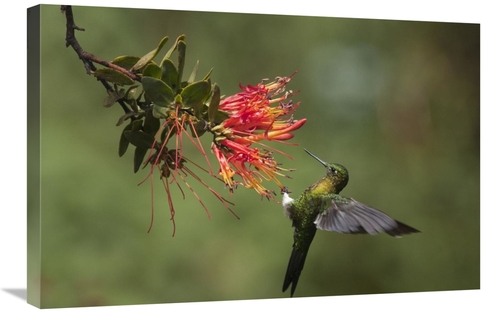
pixel 346 215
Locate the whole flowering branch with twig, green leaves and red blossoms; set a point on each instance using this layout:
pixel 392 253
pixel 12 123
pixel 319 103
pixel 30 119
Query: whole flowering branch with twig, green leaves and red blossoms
pixel 169 109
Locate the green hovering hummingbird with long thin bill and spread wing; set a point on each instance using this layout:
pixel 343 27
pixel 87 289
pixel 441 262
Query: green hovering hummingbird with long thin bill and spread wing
pixel 321 207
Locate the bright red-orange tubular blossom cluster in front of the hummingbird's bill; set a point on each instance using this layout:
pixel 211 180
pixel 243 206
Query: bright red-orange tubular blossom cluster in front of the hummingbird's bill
pixel 256 114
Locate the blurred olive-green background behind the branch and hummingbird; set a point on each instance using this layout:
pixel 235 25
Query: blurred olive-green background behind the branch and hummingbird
pixel 396 102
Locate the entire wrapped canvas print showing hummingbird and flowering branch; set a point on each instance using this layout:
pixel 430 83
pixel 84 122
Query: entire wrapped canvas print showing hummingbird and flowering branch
pixel 179 156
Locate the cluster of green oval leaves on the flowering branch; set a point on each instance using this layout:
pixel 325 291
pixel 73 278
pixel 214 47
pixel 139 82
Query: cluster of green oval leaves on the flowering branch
pixel 161 94
